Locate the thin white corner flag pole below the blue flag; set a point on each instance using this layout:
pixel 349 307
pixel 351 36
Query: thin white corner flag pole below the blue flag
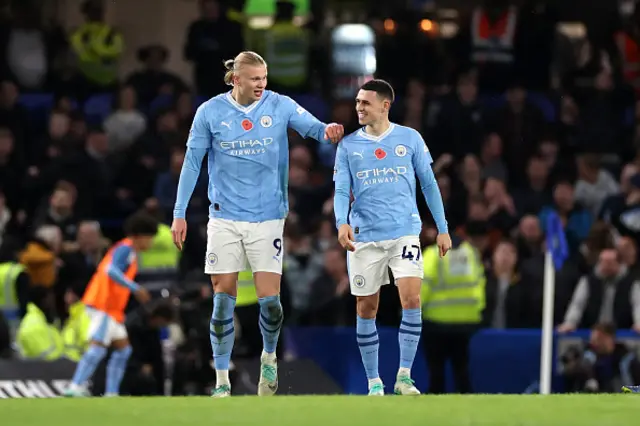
pixel 546 352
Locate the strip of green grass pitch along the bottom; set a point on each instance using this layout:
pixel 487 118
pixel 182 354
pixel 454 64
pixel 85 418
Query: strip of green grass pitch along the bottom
pixel 452 410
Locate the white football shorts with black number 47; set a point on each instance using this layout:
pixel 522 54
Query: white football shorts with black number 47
pixel 368 265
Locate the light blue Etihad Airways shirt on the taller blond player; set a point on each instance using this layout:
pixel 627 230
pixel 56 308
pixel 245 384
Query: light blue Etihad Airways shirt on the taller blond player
pixel 248 155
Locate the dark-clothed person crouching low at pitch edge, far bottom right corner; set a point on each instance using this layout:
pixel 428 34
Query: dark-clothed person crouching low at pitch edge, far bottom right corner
pixel 603 367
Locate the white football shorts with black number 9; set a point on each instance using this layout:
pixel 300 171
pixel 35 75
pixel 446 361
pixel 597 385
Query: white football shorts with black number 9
pixel 232 246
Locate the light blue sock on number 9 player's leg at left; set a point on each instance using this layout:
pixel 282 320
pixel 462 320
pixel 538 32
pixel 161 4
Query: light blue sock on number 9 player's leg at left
pixel 221 330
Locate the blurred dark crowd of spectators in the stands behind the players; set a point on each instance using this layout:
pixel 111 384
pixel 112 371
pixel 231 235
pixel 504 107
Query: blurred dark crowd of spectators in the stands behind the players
pixel 528 107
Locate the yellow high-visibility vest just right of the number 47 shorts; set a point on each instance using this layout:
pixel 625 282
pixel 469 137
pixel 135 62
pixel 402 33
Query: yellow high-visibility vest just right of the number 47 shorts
pixel 453 286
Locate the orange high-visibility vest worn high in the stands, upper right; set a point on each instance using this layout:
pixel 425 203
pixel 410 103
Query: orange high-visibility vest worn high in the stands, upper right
pixel 493 41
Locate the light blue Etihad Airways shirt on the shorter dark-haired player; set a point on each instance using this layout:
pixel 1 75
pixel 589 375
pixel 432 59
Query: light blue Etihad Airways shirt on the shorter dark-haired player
pixel 381 172
